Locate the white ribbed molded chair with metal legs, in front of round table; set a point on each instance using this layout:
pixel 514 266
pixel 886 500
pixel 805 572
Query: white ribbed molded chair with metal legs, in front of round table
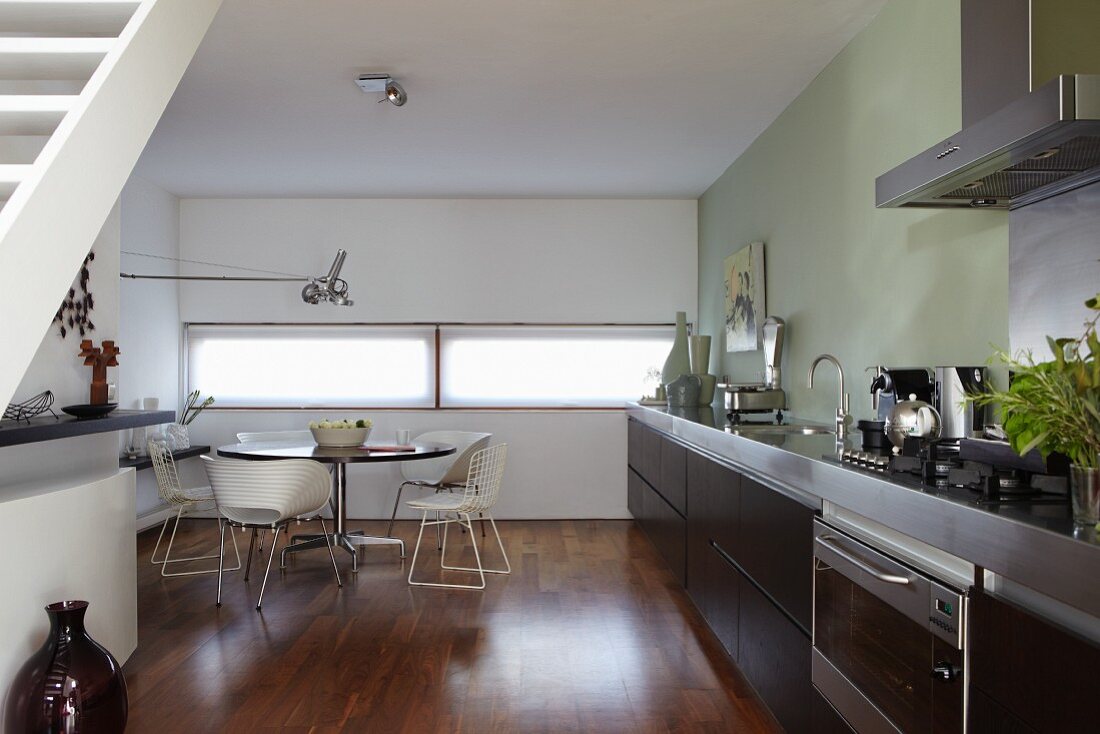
pixel 268 495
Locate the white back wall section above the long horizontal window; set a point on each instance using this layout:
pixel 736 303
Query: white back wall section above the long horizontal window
pixel 460 260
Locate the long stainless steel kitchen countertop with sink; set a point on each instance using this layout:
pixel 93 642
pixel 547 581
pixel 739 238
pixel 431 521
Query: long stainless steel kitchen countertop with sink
pixel 1036 546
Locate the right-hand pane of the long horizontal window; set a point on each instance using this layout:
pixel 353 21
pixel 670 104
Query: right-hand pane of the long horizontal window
pixel 548 367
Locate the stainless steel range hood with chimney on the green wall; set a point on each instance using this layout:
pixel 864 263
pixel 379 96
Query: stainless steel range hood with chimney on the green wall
pixel 1028 135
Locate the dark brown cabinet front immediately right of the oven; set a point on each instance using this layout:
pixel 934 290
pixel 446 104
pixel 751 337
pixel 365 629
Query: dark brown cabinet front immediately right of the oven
pixel 1028 674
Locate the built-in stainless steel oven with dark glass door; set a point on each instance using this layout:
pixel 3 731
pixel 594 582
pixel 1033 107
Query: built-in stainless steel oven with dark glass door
pixel 889 640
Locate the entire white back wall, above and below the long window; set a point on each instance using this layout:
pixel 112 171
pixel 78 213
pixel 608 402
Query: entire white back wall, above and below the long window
pixel 467 260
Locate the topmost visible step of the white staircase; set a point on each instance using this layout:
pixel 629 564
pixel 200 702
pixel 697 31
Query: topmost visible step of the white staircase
pixel 67 17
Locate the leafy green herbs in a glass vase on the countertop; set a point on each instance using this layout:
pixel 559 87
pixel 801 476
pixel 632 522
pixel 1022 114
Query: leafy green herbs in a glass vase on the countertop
pixel 1054 407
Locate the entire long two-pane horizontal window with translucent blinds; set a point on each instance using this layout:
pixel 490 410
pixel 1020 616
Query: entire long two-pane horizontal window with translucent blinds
pixel 317 367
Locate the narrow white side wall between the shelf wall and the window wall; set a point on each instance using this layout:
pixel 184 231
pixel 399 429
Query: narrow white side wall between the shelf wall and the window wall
pixel 150 327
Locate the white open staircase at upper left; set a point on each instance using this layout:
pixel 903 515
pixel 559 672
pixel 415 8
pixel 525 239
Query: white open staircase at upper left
pixel 83 84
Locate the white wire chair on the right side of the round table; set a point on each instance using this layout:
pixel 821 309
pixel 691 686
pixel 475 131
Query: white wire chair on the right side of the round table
pixel 479 496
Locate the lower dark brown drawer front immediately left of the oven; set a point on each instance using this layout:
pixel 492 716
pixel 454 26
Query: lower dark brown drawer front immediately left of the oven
pixel 775 656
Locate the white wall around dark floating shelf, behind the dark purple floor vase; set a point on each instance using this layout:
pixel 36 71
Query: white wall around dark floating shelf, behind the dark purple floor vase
pixel 67 512
